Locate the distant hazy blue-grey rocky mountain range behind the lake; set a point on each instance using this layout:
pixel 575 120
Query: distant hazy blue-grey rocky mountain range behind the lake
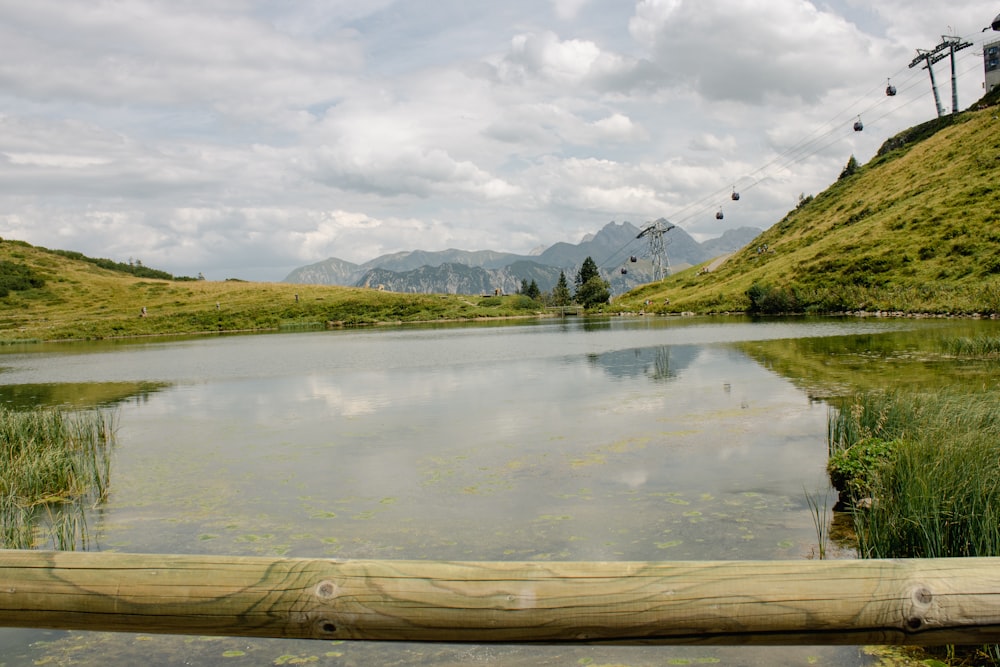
pixel 484 271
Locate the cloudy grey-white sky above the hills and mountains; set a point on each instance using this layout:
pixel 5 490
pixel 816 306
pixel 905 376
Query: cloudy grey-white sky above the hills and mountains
pixel 245 138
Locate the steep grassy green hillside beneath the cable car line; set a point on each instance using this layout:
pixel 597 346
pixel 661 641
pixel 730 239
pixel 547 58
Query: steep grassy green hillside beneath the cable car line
pixel 917 229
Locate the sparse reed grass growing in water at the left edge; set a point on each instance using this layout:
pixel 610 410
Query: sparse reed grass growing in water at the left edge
pixel 55 464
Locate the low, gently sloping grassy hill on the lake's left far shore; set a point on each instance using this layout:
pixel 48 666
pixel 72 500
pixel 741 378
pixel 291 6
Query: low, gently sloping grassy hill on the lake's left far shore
pixel 58 295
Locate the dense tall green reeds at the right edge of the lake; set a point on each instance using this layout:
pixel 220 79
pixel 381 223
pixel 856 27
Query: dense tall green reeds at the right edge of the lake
pixel 938 493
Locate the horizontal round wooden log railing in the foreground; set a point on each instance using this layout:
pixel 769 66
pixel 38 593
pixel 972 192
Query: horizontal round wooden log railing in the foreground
pixel 925 601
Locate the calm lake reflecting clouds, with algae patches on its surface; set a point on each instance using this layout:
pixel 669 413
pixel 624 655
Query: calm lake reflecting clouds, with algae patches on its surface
pixel 557 439
